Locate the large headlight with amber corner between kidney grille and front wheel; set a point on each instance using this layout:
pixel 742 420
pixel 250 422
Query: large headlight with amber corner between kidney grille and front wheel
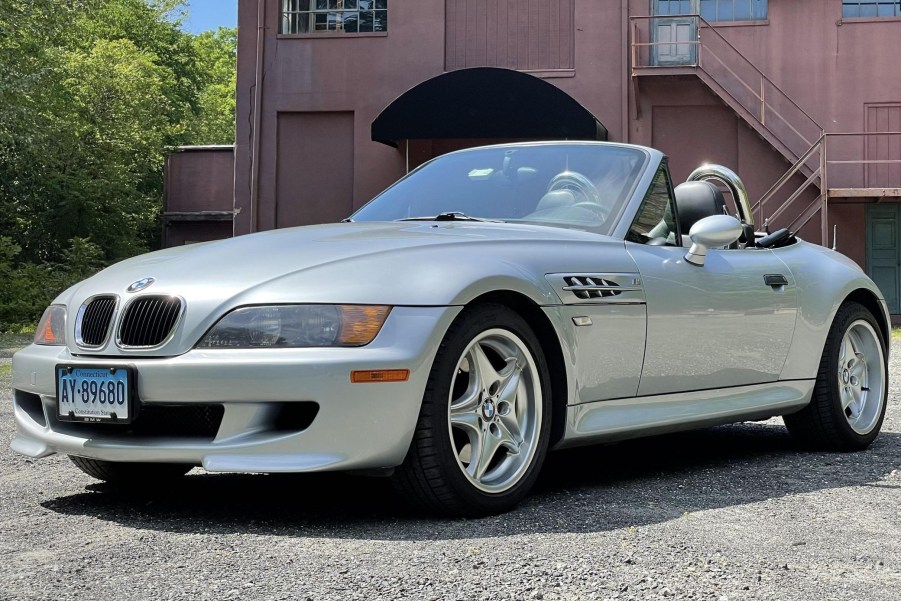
pixel 297 326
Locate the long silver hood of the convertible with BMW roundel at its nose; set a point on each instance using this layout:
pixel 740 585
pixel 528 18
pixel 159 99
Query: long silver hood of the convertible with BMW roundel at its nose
pixel 394 263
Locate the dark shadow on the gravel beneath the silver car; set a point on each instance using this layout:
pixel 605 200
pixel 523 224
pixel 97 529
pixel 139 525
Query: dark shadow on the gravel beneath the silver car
pixel 633 483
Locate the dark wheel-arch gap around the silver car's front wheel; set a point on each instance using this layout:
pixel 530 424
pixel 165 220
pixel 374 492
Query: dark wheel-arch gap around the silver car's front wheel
pixel 550 344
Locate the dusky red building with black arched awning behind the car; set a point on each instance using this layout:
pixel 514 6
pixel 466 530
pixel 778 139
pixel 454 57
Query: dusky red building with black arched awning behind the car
pixel 336 99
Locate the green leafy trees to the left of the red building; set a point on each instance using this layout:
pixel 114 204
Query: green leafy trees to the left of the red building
pixel 92 93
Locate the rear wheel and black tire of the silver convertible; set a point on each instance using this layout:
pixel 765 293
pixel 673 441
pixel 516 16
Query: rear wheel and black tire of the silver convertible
pixel 827 423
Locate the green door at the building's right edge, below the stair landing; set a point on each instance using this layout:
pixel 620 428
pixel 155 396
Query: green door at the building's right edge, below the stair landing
pixel 884 251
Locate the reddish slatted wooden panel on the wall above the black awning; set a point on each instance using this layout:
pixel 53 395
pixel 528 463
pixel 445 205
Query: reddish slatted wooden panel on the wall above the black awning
pixel 529 35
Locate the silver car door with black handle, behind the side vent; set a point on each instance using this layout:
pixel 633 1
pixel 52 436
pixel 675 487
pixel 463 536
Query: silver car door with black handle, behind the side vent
pixel 726 323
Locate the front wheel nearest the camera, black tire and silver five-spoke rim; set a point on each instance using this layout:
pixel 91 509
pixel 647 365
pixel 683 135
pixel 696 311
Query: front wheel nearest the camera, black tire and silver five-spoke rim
pixel 436 474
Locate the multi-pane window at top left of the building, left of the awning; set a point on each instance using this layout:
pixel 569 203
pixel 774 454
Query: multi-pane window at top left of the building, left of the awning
pixel 333 16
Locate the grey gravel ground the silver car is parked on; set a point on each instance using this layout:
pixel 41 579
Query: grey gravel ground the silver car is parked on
pixel 728 513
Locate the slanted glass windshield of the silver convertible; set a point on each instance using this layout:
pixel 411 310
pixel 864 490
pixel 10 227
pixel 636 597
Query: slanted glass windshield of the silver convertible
pixel 581 186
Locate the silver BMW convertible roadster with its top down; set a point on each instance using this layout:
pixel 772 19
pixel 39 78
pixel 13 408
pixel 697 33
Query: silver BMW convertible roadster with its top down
pixel 493 305
